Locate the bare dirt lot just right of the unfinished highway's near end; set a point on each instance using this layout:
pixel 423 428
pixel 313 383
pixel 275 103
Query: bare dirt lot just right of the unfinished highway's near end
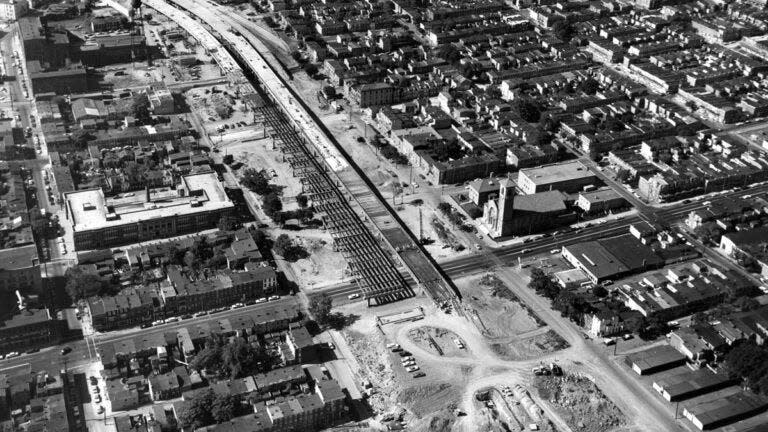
pixel 496 309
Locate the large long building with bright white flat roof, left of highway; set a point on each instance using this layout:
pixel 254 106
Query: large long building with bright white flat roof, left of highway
pixel 197 203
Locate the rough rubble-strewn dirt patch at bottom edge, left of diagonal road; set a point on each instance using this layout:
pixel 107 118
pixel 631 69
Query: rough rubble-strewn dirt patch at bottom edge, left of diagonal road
pixel 579 403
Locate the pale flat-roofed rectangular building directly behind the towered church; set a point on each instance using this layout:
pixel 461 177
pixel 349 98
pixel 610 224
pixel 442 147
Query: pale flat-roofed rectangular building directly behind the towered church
pixel 566 177
